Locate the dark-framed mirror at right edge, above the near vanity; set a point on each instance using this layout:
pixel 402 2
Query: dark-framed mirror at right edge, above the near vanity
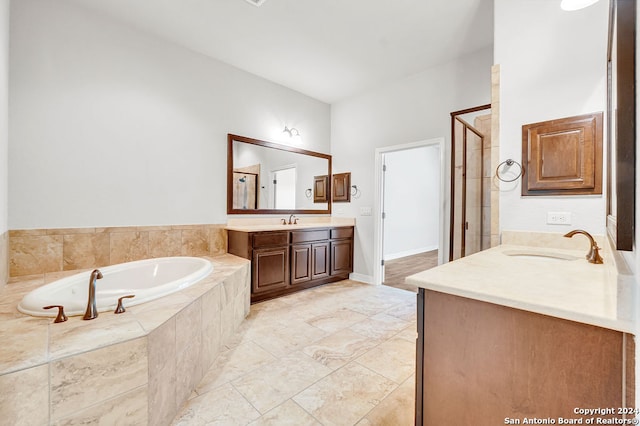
pixel 621 122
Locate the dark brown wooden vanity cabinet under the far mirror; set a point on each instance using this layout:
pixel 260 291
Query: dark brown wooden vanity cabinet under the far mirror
pixel 287 261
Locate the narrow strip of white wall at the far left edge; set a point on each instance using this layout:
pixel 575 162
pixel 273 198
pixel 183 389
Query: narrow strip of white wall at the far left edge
pixel 4 114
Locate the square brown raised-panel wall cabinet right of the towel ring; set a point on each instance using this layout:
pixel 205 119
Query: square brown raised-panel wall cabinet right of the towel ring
pixel 563 157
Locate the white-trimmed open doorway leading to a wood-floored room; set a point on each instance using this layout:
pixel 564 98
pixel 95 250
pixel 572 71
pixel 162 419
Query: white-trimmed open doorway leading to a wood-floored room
pixel 410 205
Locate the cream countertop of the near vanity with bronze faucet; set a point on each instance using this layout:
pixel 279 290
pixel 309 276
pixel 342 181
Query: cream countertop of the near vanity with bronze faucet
pixel 515 276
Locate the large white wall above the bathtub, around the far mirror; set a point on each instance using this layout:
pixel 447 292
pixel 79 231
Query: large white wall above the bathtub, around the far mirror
pixel 110 126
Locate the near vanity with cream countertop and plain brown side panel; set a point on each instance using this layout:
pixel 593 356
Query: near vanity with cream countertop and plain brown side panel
pixel 519 332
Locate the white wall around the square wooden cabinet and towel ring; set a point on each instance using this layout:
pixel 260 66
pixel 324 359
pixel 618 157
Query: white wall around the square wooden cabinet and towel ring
pixel 552 65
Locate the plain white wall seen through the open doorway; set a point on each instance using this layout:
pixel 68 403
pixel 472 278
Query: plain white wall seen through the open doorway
pixel 411 201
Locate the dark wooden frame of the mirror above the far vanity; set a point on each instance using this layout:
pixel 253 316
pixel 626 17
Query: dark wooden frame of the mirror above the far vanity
pixel 230 210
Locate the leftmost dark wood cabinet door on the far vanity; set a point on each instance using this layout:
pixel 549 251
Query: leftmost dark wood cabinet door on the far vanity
pixel 270 269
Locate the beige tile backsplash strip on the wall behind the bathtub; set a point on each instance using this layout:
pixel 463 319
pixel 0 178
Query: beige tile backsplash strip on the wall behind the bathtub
pixel 39 251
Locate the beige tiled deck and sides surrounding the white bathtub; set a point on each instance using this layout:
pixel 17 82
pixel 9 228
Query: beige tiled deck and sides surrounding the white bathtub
pixel 140 366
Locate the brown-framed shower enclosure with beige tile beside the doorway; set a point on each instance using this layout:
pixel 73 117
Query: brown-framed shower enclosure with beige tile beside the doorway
pixel 471 180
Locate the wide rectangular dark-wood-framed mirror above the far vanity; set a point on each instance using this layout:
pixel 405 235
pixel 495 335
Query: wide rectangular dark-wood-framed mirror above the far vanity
pixel 265 177
